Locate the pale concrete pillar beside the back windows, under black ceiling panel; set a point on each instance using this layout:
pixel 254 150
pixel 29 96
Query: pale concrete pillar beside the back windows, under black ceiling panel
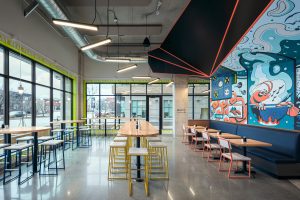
pixel 180 104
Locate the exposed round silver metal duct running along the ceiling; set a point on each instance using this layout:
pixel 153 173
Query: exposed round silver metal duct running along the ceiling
pixel 54 11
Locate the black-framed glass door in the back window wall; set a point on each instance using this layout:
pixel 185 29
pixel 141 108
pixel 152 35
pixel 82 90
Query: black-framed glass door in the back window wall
pixel 154 111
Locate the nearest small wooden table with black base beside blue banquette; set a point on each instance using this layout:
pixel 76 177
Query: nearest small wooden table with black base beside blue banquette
pixel 244 145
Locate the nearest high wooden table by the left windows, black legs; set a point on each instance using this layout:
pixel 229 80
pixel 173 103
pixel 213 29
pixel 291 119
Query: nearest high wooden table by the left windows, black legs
pixel 7 132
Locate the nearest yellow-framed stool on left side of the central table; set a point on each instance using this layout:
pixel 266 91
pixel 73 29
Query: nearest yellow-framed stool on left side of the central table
pixel 117 164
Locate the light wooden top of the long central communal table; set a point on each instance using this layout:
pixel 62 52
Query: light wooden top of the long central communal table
pixel 146 129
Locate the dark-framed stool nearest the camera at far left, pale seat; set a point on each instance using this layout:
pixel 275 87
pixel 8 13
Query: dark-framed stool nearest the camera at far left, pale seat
pixel 18 148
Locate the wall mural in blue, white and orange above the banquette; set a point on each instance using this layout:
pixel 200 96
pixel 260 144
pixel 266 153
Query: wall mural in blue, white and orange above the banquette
pixel 266 64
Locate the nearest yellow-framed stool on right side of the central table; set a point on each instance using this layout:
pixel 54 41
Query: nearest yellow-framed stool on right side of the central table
pixel 159 150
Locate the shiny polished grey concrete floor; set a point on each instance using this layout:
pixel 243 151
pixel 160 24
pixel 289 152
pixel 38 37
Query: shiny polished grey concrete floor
pixel 191 177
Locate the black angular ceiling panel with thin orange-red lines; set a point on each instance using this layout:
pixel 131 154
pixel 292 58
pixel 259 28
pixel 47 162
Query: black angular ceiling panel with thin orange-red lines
pixel 204 34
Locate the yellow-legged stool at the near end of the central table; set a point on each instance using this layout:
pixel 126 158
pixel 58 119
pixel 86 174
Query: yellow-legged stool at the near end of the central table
pixel 133 151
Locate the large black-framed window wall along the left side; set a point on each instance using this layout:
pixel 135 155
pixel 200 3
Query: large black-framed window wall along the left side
pixel 47 93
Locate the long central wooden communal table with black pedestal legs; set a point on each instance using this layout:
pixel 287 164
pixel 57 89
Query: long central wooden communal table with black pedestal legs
pixel 145 129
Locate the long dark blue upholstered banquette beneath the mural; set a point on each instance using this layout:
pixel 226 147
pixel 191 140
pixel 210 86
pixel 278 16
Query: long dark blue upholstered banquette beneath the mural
pixel 281 160
